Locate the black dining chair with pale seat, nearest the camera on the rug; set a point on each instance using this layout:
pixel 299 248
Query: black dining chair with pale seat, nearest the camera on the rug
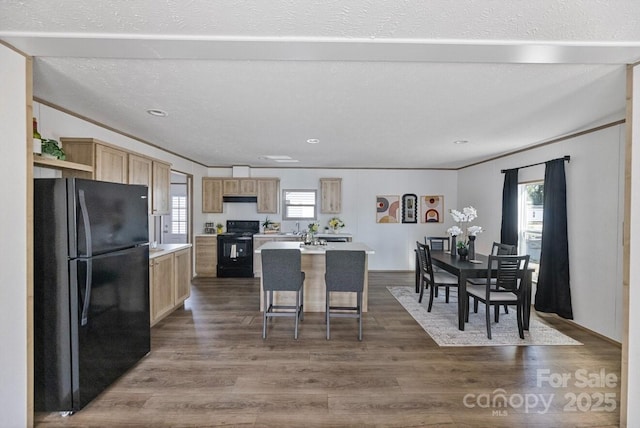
pixel 505 290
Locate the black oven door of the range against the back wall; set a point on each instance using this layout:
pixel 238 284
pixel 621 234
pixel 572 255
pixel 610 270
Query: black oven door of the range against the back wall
pixel 235 256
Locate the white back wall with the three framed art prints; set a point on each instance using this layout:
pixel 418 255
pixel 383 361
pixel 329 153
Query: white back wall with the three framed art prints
pixel 393 243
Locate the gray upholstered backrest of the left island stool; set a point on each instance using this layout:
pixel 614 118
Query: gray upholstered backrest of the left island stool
pixel 281 269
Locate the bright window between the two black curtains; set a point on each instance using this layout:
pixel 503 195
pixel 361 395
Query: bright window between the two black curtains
pixel 531 203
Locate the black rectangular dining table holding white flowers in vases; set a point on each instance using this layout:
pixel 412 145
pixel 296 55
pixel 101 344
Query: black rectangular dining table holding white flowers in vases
pixel 476 268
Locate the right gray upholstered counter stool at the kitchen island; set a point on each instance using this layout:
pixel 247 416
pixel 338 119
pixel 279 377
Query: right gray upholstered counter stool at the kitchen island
pixel 345 272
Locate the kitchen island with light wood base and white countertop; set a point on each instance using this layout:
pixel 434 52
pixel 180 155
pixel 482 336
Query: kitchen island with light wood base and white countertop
pixel 313 265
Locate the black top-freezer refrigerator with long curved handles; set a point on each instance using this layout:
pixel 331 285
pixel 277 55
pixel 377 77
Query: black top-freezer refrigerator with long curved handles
pixel 91 288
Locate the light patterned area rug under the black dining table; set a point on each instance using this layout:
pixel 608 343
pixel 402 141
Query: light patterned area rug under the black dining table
pixel 442 323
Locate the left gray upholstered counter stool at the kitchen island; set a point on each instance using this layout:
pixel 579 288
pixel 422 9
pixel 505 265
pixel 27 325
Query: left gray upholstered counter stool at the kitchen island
pixel 282 271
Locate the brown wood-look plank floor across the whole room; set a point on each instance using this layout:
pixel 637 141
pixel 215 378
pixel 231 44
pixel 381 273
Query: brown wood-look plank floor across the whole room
pixel 209 366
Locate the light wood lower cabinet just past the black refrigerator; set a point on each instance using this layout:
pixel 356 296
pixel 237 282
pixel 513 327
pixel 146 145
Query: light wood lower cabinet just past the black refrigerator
pixel 170 282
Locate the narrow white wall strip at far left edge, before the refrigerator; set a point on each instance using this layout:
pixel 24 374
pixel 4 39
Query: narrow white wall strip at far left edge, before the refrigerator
pixel 13 229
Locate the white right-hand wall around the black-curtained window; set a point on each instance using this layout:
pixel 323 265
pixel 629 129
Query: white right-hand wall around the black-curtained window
pixel 595 202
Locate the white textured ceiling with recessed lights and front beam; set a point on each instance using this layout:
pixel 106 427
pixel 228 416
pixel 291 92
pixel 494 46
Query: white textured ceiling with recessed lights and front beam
pixel 380 84
